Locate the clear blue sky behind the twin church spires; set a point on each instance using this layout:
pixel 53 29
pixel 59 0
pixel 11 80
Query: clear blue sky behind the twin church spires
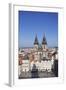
pixel 40 23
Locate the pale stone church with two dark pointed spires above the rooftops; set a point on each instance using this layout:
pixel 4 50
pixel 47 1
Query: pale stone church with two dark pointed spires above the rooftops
pixel 40 51
